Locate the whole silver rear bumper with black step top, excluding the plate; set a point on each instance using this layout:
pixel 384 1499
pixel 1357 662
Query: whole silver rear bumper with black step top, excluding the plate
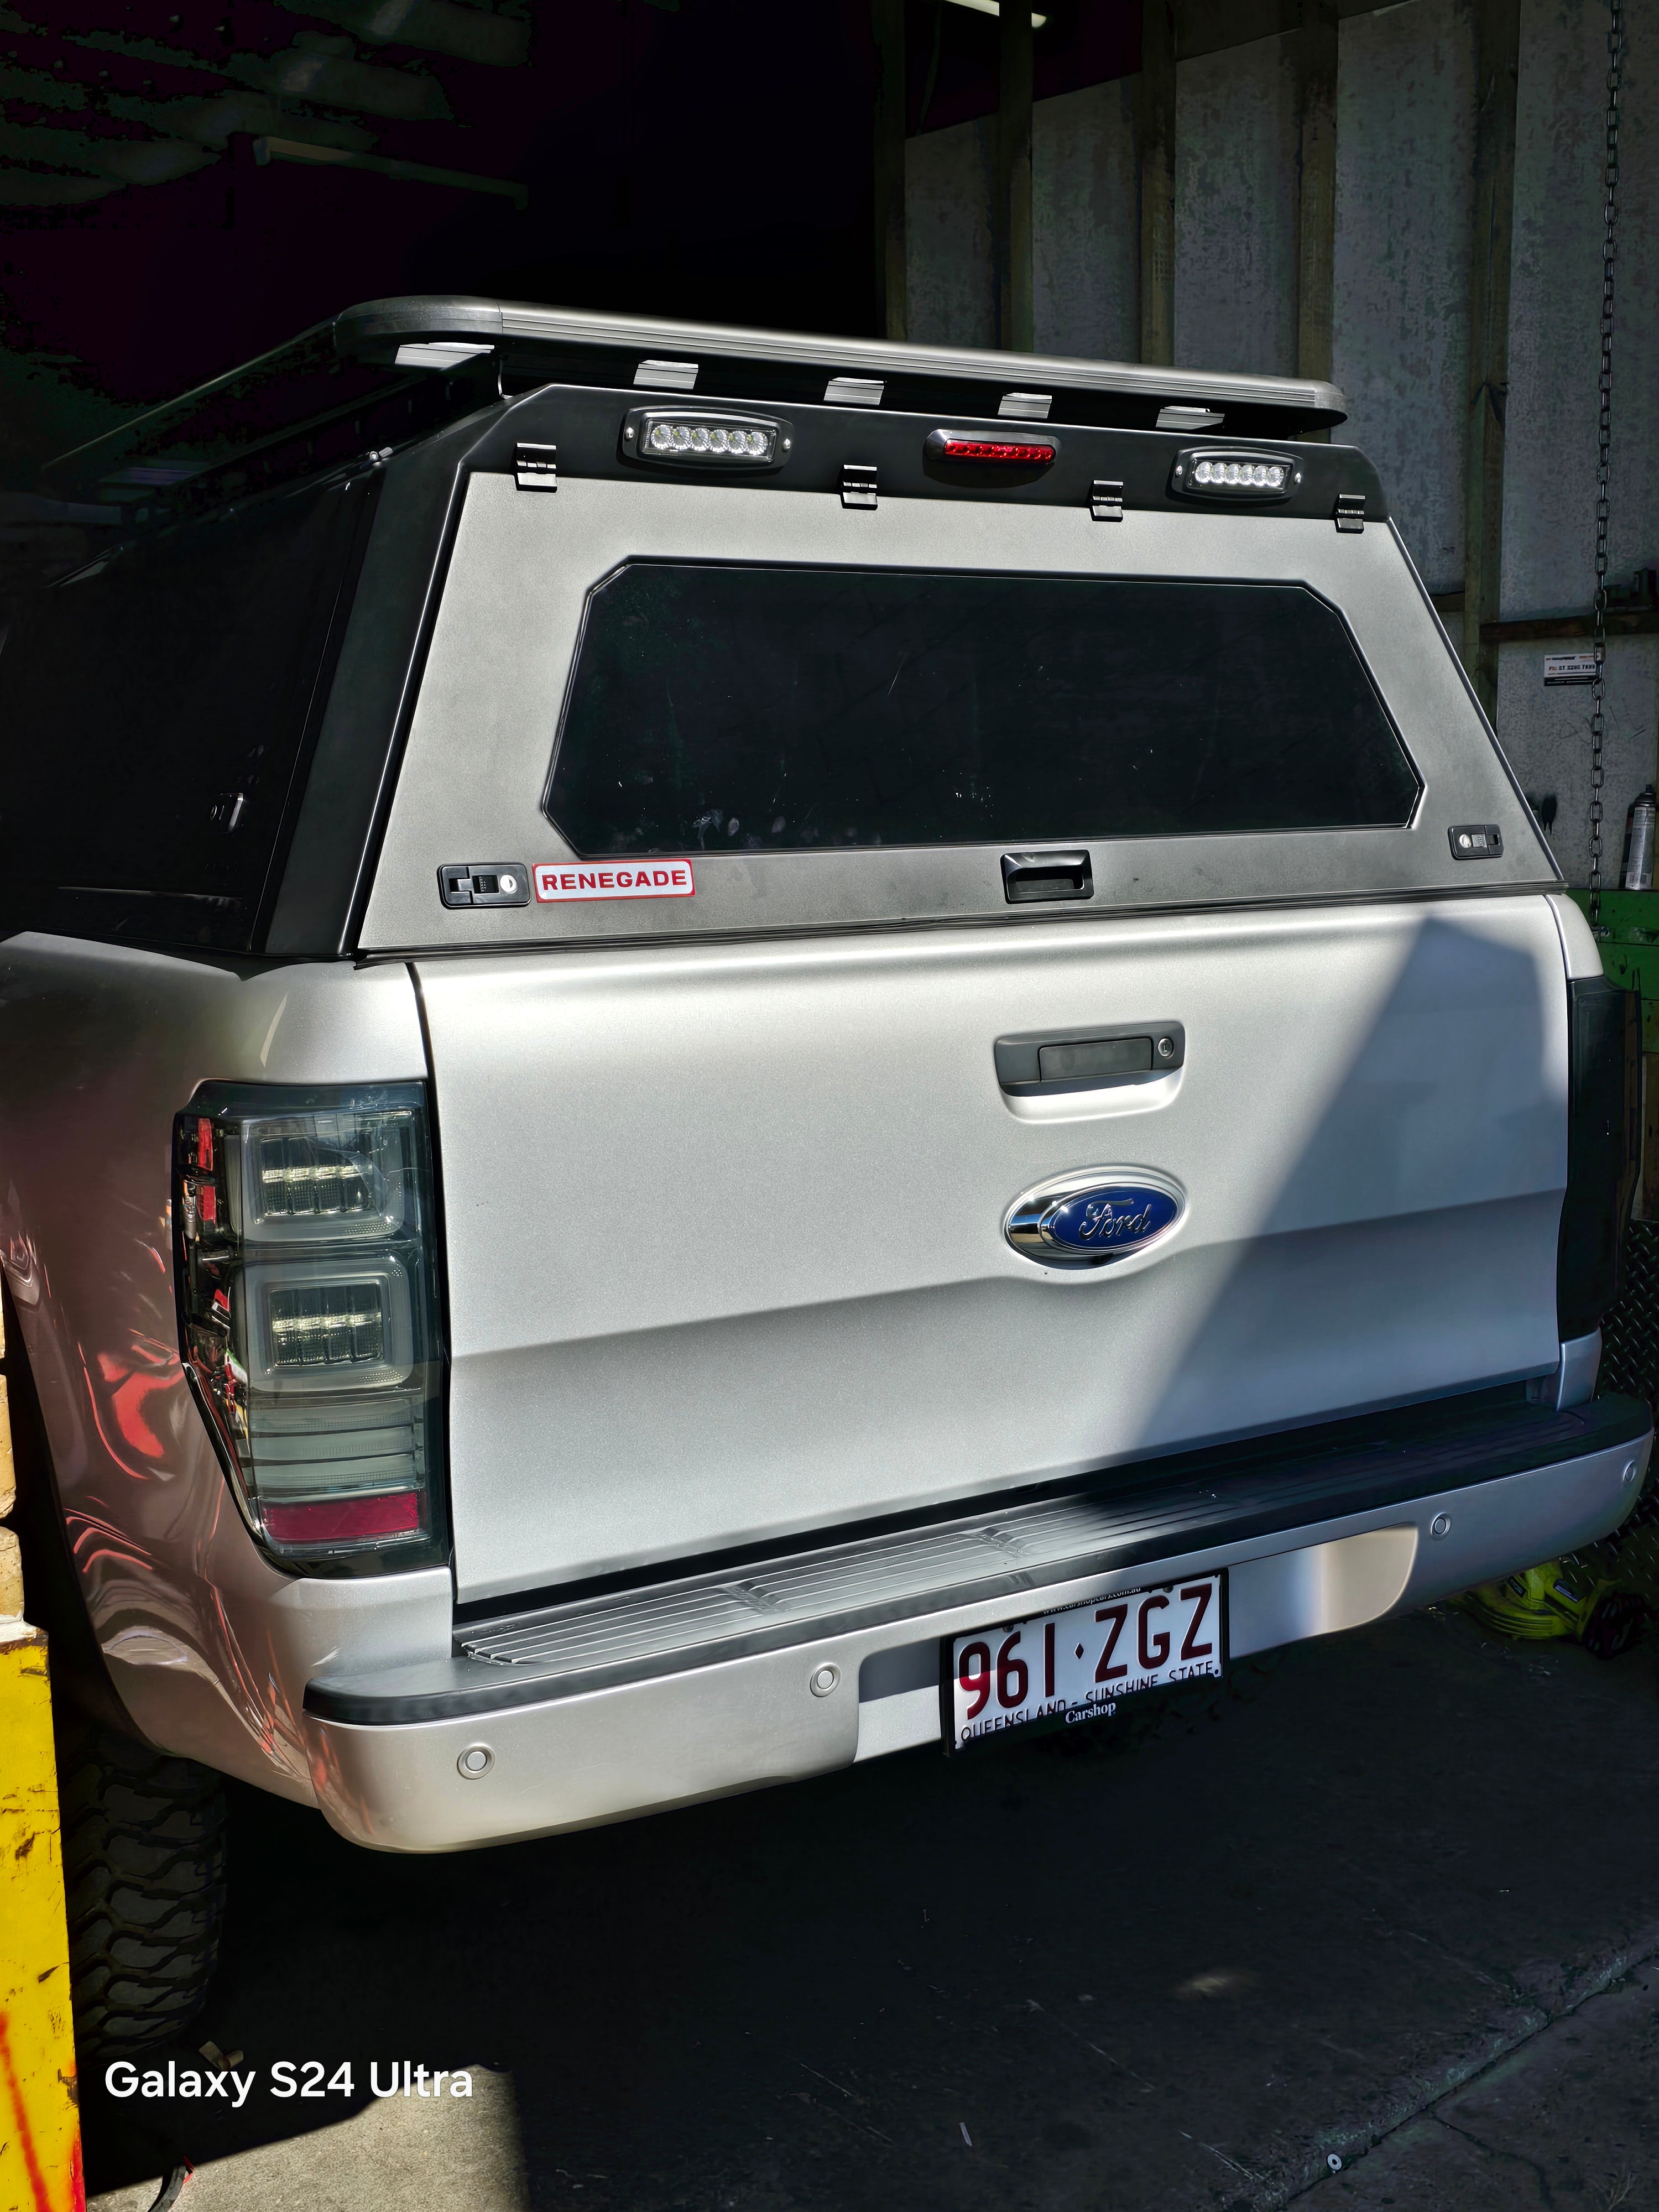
pixel 700 1689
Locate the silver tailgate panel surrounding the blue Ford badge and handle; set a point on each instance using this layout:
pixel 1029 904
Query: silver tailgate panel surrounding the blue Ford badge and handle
pixel 727 1224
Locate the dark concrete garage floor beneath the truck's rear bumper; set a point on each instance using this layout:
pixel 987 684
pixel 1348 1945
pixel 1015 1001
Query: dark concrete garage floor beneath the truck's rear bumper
pixel 1399 1910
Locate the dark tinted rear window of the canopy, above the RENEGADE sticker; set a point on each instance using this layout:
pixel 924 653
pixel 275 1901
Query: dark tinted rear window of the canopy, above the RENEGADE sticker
pixel 780 709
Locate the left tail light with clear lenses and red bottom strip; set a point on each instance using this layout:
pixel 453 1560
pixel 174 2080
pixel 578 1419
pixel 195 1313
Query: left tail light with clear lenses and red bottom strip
pixel 309 1317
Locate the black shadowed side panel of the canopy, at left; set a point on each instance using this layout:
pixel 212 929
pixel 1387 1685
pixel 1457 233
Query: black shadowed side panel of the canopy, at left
pixel 154 718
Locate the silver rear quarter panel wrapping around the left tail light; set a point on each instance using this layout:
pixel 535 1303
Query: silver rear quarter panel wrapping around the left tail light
pixel 207 1642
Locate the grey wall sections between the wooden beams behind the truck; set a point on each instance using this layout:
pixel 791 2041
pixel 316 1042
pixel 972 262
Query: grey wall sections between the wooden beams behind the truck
pixel 1401 289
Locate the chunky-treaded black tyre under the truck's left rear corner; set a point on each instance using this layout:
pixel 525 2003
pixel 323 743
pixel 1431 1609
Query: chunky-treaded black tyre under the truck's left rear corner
pixel 145 1879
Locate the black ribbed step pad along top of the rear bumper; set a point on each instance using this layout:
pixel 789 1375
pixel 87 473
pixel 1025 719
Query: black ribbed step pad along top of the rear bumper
pixel 1136 1519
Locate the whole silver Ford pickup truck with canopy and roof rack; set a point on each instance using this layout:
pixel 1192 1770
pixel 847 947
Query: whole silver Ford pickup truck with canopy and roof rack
pixel 727 1052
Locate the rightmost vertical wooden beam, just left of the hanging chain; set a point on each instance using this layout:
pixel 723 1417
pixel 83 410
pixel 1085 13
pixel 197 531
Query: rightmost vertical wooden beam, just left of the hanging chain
pixel 1483 510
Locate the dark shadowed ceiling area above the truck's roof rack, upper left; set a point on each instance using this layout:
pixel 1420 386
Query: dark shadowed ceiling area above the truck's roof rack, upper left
pixel 187 182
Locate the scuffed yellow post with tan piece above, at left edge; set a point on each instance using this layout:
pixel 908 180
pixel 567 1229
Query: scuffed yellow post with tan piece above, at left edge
pixel 39 2107
